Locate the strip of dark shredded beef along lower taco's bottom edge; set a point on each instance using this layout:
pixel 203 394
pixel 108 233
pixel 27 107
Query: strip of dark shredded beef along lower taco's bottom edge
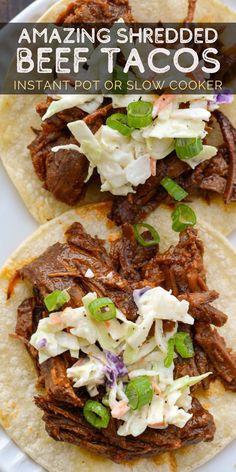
pixel 67 424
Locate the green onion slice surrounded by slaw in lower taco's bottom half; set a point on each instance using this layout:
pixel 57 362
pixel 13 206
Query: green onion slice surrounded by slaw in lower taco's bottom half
pixel 139 392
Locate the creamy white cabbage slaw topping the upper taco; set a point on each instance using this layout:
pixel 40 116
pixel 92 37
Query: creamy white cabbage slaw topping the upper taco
pixel 123 162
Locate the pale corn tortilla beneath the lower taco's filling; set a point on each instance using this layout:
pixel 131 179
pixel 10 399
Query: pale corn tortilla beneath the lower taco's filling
pixel 22 419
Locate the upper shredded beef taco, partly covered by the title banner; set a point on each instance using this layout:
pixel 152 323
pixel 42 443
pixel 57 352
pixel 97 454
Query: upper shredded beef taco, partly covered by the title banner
pixel 56 169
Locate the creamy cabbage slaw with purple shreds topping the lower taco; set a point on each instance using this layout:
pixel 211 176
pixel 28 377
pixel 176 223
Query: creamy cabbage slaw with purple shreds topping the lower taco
pixel 120 350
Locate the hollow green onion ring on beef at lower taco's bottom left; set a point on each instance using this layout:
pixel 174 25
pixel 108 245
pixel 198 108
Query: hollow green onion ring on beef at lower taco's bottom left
pixel 96 414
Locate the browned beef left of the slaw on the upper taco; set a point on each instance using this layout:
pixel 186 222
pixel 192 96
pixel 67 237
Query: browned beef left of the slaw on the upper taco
pixel 65 171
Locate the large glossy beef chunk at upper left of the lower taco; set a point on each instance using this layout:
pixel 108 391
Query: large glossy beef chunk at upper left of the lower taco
pixel 61 265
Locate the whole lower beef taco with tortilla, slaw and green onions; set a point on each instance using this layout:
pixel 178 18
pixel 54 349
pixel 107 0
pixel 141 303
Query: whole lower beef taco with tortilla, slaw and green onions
pixel 115 342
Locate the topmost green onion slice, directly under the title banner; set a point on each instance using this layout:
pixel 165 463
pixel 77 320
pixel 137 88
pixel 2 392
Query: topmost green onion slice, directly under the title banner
pixel 140 114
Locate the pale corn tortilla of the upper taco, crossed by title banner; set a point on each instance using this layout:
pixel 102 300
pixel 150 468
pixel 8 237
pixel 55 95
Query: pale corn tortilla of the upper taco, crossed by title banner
pixel 16 134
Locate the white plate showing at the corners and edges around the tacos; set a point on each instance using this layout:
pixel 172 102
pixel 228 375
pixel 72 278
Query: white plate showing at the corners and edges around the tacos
pixel 16 225
